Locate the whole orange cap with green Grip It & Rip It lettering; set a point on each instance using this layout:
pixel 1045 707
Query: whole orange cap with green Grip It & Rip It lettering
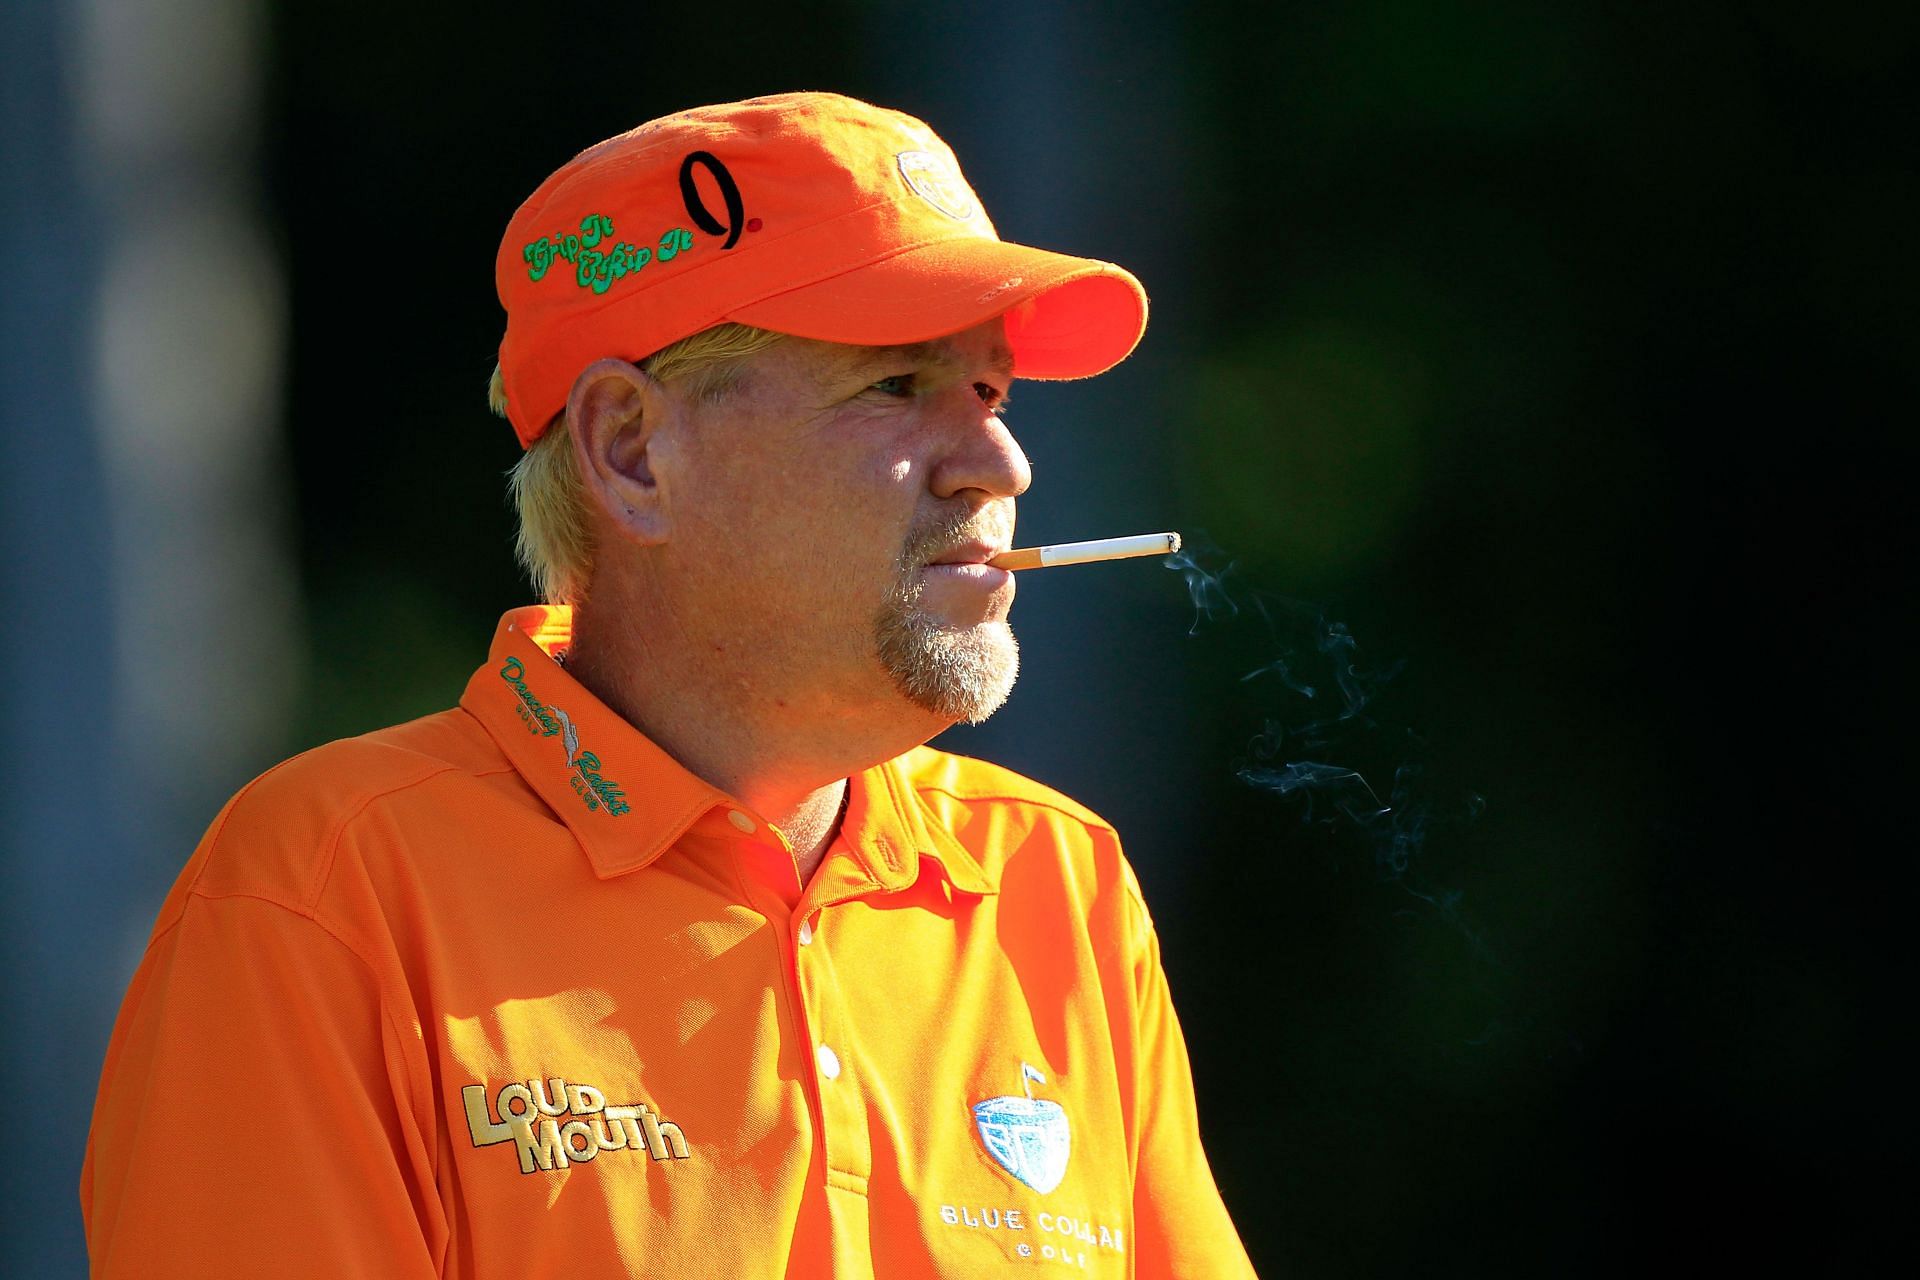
pixel 805 214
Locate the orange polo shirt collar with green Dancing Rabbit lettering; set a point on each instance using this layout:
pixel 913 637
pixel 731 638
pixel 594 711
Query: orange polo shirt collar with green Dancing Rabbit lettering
pixel 627 801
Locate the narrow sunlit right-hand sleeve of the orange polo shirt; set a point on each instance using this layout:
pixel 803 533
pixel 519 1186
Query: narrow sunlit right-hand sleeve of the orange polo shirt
pixel 1180 1223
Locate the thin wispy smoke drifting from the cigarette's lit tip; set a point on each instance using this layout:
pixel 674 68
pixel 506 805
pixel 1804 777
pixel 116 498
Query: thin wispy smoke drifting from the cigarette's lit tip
pixel 1324 742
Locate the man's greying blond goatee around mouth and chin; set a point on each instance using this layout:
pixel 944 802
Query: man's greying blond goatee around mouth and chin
pixel 959 675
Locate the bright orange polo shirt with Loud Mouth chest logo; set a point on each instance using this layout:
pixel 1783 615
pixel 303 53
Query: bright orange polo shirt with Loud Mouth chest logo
pixel 510 993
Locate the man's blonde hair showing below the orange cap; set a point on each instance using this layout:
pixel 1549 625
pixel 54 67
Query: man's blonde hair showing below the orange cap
pixel 556 538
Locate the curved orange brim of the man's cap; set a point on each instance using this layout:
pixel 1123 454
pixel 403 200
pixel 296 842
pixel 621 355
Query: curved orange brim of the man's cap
pixel 1084 316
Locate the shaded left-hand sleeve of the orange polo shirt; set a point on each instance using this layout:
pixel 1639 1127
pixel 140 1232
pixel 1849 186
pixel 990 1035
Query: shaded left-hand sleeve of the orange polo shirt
pixel 254 1114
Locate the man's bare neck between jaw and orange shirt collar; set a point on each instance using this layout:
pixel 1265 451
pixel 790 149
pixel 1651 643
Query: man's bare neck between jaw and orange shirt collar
pixel 786 767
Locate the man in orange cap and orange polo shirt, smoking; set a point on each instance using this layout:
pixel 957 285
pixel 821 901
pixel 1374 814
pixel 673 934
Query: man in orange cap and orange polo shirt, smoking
pixel 673 949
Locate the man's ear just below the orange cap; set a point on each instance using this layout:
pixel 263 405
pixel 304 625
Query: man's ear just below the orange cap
pixel 623 442
